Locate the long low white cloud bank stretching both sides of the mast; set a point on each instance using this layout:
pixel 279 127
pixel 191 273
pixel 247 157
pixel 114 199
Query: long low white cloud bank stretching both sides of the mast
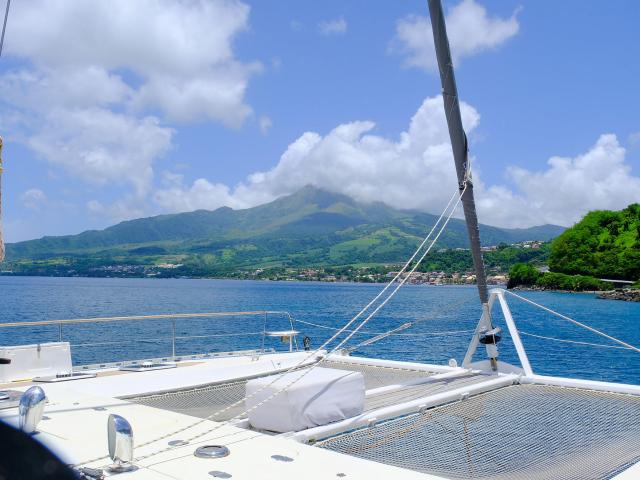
pixel 415 171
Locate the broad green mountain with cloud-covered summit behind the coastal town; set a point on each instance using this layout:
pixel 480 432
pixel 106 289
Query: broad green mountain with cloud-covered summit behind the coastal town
pixel 309 227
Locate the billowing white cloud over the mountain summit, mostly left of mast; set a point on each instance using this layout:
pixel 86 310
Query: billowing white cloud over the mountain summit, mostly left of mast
pixel 350 159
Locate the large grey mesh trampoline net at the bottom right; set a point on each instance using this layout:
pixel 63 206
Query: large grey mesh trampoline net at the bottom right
pixel 516 432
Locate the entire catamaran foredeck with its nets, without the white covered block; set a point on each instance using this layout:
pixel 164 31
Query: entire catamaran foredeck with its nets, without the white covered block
pixel 420 421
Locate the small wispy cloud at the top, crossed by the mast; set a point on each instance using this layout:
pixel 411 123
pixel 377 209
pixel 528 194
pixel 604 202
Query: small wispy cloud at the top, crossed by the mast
pixel 470 29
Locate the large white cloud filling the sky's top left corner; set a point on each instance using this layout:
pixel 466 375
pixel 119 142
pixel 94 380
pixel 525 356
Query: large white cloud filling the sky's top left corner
pixel 179 65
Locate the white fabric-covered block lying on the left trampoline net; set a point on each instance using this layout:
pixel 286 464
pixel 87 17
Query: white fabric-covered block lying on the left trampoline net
pixel 322 396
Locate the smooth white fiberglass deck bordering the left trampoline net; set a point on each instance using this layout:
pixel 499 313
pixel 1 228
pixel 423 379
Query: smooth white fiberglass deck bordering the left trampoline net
pixel 76 415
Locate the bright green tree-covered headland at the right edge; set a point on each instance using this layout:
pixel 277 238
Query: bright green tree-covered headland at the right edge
pixel 604 244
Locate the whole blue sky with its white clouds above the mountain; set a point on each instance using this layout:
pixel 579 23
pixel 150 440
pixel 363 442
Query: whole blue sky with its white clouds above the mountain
pixel 164 106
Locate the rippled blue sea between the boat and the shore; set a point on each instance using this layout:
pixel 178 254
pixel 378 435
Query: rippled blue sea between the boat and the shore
pixel 434 310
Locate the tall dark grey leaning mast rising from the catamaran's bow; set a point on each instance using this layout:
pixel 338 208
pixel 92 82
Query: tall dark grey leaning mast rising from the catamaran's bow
pixel 463 171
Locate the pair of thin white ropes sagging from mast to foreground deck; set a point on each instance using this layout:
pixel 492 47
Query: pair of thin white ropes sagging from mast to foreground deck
pixel 317 351
